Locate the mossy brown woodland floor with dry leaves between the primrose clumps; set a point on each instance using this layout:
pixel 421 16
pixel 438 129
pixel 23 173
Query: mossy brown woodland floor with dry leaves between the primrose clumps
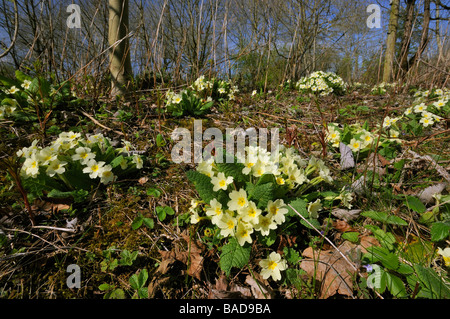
pixel 33 263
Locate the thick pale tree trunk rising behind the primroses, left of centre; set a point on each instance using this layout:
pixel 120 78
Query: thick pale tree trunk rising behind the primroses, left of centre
pixel 120 63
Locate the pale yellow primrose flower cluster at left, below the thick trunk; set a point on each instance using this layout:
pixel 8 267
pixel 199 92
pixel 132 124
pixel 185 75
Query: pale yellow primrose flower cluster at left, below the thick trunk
pixel 70 150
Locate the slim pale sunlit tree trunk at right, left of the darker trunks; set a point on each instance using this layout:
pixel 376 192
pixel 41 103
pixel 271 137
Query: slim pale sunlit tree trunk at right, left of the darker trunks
pixel 390 42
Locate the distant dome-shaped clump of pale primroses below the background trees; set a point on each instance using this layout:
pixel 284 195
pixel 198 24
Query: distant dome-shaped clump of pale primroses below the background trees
pixel 323 83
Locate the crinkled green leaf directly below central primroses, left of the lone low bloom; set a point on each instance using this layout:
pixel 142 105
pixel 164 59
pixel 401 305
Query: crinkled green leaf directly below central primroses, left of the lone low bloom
pixel 234 255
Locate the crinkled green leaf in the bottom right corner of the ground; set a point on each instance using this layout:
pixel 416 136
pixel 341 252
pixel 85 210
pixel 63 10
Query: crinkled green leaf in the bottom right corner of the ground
pixel 436 288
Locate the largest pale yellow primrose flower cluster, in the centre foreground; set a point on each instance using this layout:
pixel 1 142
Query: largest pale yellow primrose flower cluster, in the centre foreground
pixel 240 213
